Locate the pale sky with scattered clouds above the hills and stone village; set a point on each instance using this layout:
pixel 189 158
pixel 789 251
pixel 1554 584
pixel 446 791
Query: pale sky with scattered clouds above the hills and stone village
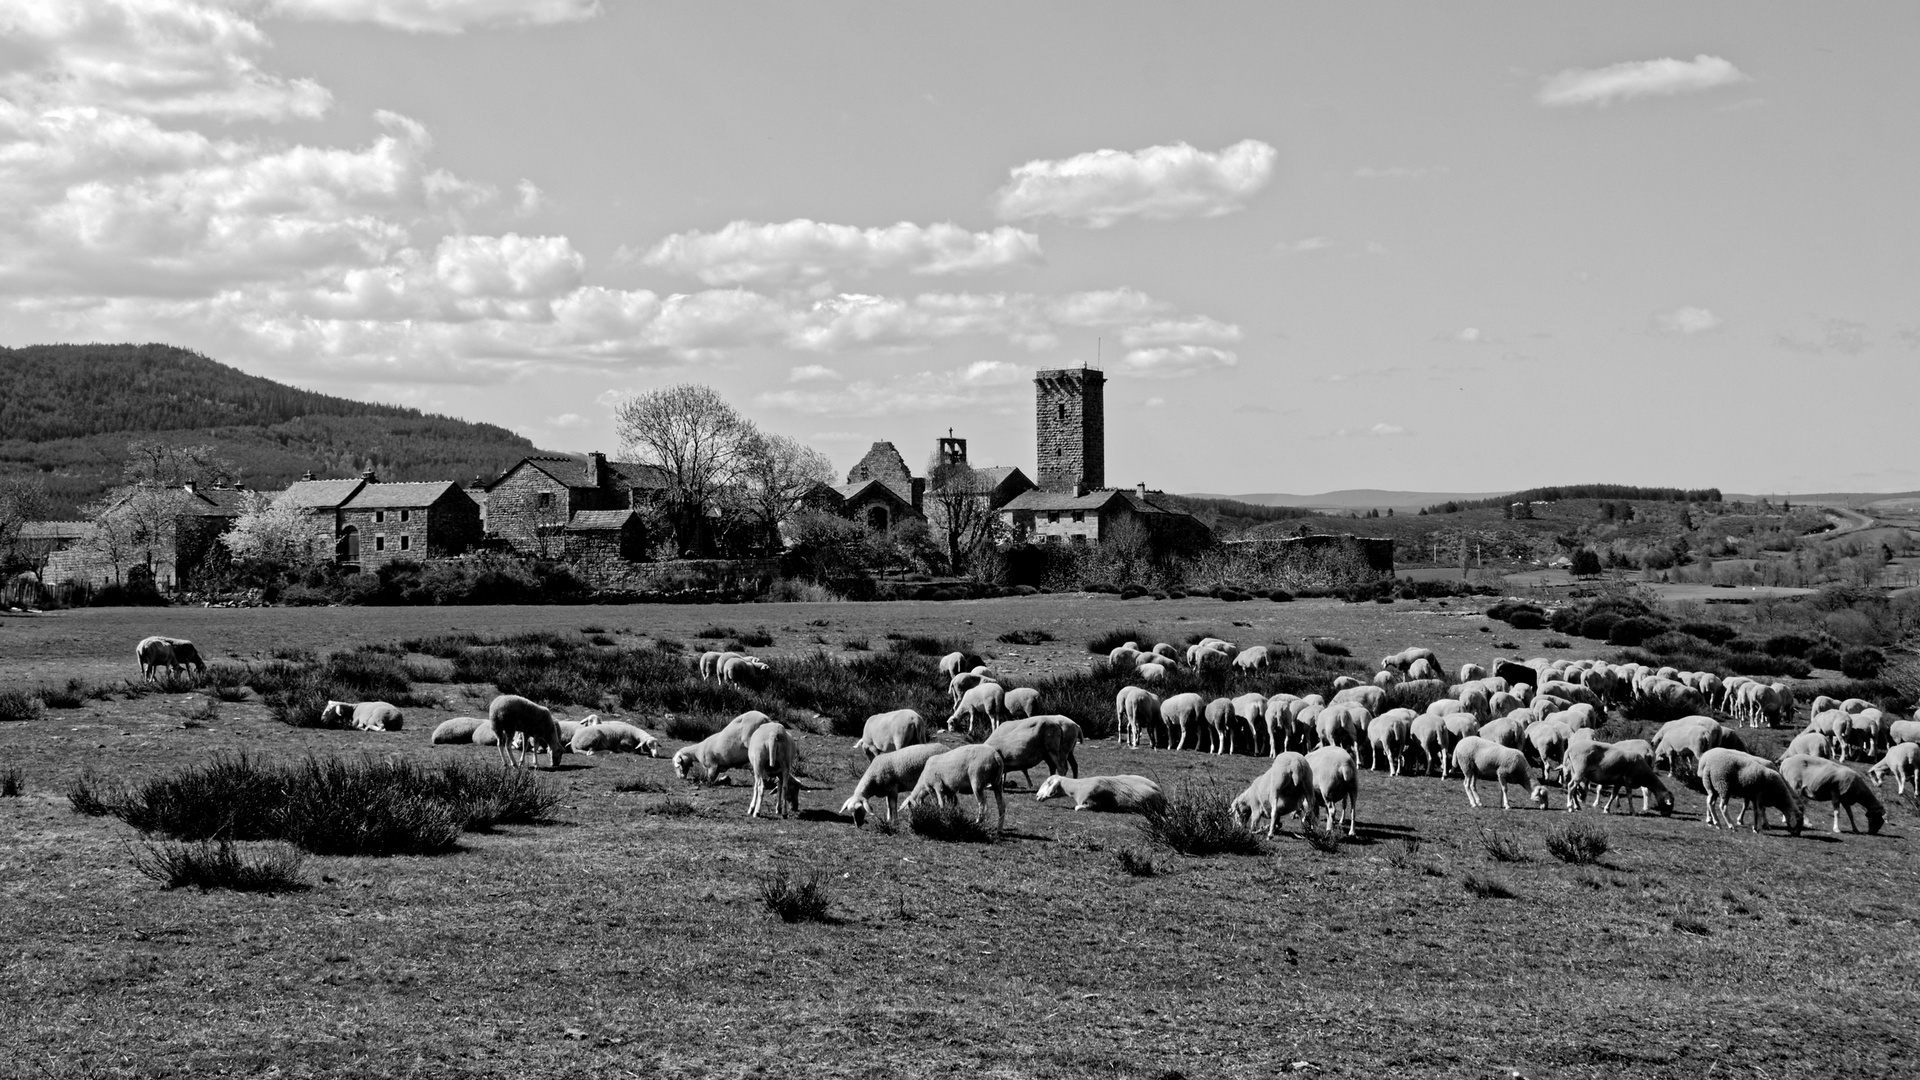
pixel 1314 247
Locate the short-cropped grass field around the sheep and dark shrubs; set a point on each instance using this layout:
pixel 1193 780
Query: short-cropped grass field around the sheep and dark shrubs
pixel 627 937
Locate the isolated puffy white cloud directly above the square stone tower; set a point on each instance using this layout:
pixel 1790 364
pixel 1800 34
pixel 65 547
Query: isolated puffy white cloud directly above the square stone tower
pixel 1157 184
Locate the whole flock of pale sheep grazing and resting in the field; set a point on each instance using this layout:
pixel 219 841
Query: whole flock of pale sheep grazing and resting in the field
pixel 1487 727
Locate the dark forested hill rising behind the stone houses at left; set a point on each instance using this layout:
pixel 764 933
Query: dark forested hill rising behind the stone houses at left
pixel 68 414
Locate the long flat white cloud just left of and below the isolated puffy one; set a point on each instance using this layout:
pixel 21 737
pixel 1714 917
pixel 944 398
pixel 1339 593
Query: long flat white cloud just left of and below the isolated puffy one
pixel 804 251
